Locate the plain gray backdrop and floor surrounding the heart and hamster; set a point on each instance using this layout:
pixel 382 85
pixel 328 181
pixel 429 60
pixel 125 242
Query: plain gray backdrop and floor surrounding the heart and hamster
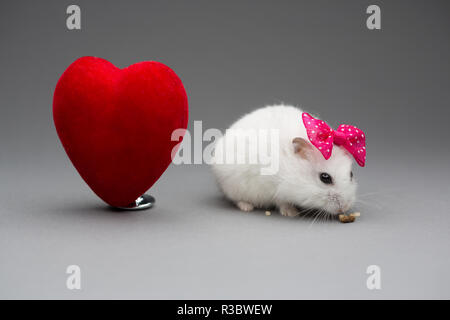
pixel 233 56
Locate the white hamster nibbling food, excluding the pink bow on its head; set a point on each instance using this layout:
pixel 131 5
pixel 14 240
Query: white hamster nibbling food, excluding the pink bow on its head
pixel 303 179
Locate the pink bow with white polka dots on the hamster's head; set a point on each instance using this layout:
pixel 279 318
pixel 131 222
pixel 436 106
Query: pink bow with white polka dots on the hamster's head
pixel 323 137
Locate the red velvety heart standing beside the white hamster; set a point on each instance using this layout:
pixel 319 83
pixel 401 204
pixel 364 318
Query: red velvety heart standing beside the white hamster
pixel 116 124
